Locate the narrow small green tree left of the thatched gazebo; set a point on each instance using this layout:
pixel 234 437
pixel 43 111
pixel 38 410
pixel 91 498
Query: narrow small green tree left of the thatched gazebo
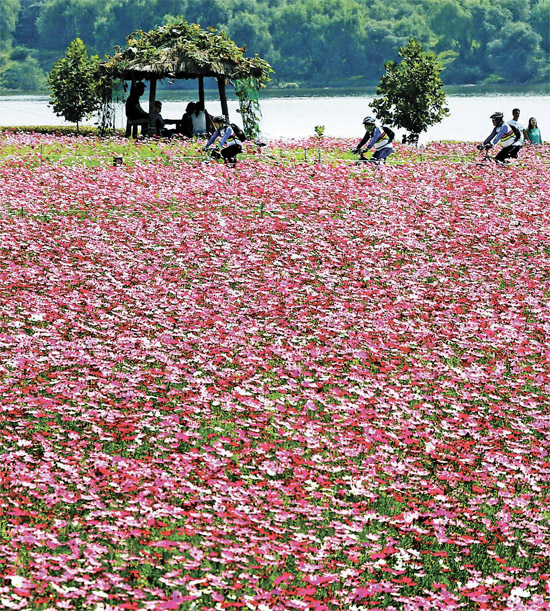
pixel 73 84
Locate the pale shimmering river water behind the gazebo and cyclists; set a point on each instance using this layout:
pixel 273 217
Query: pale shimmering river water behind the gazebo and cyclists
pixel 295 114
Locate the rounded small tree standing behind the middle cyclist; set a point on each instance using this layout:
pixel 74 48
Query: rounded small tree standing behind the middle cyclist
pixel 413 91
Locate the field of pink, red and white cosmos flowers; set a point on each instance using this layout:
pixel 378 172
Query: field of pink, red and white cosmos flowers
pixel 288 385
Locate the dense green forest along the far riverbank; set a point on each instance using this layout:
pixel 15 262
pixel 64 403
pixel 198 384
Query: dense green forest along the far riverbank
pixel 308 42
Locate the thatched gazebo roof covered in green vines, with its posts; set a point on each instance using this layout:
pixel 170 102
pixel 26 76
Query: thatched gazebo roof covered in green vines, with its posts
pixel 182 50
